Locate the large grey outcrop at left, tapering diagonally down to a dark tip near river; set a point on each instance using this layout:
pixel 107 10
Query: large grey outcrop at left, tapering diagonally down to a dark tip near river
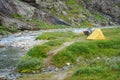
pixel 16 14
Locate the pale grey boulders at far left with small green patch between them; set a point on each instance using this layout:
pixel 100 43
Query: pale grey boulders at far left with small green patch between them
pixel 10 10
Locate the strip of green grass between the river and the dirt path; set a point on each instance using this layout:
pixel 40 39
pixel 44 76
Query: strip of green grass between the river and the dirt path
pixel 38 52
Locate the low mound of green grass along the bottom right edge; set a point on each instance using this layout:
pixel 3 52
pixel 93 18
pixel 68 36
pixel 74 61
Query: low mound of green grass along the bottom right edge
pixel 94 73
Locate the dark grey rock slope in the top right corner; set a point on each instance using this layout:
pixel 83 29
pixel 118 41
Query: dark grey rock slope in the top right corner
pixel 109 8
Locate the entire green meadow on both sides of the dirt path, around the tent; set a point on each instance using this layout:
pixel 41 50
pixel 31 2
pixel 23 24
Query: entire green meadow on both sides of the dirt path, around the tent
pixel 90 59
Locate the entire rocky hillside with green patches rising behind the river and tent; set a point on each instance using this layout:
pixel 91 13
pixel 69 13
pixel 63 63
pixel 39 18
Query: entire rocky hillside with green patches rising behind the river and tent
pixel 34 14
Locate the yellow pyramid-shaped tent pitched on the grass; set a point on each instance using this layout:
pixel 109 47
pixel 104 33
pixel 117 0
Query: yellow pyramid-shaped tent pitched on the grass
pixel 96 35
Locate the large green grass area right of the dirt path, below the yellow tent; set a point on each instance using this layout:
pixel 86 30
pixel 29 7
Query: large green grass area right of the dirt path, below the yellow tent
pixel 106 67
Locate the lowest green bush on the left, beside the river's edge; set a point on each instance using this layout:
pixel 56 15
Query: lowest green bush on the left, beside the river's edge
pixel 27 64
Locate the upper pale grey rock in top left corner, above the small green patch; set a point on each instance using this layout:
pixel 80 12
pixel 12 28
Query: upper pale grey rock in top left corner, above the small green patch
pixel 9 7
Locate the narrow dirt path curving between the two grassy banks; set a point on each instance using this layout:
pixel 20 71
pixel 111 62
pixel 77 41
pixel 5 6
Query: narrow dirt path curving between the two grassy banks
pixel 51 53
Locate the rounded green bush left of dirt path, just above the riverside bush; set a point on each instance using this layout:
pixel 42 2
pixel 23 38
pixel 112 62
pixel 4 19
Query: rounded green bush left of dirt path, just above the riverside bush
pixel 38 51
